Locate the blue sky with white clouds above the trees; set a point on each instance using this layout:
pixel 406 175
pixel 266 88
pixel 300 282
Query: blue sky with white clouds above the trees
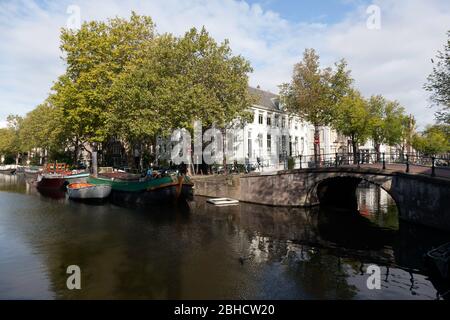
pixel 388 44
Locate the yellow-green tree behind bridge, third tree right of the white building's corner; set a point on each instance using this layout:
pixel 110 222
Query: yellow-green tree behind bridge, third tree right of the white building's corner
pixel 386 122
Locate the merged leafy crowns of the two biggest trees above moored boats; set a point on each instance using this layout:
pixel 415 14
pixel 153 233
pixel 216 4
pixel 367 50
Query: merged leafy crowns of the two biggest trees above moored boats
pixel 125 81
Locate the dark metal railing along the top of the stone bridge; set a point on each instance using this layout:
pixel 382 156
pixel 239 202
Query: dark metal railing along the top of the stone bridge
pixel 414 163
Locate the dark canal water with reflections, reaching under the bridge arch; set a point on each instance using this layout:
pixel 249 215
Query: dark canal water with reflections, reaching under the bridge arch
pixel 204 252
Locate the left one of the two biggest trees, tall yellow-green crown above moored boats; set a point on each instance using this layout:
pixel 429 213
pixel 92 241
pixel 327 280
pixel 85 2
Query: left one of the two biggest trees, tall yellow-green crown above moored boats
pixel 95 55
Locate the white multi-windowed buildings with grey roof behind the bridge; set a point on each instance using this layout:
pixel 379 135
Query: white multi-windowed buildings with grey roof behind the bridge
pixel 274 134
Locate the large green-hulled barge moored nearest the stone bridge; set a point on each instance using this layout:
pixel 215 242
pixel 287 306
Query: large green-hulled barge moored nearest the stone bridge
pixel 163 190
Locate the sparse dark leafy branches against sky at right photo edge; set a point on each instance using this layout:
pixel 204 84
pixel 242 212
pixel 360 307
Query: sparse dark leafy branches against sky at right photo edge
pixel 439 83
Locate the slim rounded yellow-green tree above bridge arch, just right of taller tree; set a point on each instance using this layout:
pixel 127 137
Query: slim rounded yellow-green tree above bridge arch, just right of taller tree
pixel 352 119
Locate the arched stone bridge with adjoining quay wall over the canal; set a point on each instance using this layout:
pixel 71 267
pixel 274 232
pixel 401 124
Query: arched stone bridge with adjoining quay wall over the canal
pixel 420 199
